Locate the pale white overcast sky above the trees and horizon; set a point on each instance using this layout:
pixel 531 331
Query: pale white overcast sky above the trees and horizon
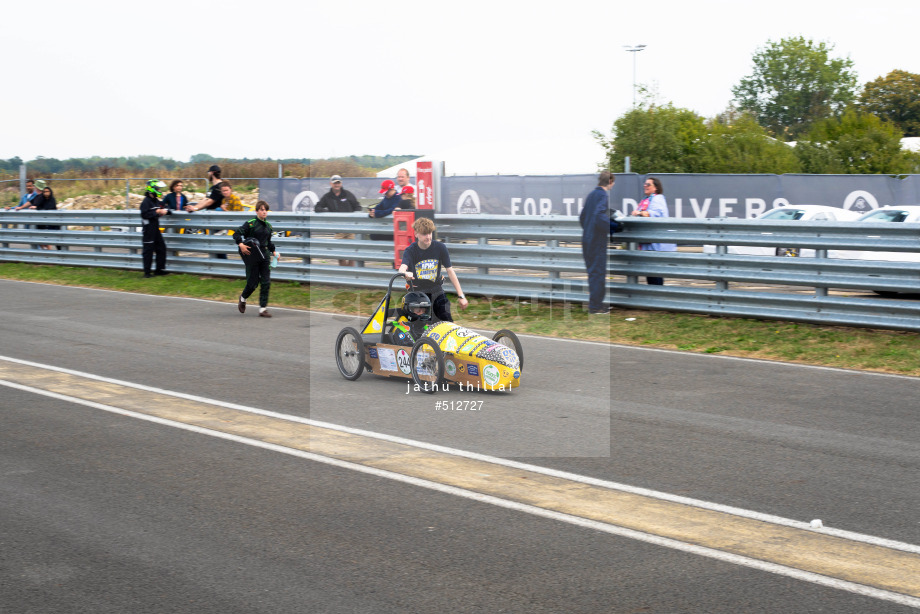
pixel 319 79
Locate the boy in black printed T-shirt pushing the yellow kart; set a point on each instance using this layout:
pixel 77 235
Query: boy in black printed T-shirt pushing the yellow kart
pixel 423 261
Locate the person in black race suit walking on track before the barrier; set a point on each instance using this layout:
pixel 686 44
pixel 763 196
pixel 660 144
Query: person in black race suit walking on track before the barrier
pixel 254 239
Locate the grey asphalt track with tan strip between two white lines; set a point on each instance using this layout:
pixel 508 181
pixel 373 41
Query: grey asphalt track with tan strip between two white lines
pixel 182 457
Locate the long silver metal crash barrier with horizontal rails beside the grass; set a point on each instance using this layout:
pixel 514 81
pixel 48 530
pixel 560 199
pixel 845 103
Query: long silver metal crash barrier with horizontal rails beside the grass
pixel 532 258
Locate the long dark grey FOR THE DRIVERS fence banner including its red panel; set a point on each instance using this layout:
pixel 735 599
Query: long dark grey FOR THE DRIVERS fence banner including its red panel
pixel 688 196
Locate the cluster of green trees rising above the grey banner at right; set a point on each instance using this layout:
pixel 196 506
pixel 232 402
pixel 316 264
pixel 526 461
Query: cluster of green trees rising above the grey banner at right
pixel 799 111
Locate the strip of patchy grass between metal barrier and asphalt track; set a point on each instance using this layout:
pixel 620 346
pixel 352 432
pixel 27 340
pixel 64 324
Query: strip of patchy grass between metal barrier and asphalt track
pixel 833 346
